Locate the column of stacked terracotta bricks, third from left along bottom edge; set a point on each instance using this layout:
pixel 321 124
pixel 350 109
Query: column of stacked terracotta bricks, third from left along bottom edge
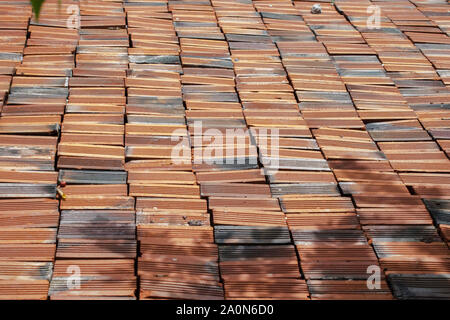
pixel 178 258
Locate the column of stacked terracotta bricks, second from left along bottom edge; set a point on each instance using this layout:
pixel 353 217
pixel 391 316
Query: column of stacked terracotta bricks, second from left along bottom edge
pixel 96 249
